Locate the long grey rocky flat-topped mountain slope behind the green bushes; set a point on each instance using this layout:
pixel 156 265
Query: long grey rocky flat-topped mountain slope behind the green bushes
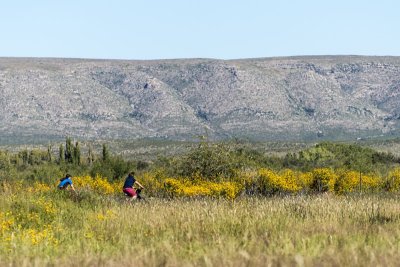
pixel 332 97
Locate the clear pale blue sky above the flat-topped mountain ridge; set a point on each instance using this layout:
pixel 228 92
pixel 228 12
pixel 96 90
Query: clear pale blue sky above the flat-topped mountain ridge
pixel 224 29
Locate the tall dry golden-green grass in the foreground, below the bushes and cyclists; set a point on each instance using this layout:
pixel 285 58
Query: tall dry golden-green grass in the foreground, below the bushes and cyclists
pixel 43 226
